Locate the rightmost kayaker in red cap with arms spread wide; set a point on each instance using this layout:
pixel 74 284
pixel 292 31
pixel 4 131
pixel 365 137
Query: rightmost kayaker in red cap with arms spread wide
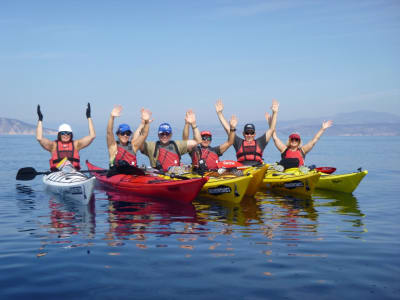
pixel 293 153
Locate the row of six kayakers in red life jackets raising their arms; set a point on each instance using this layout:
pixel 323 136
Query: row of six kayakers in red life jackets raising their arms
pixel 166 152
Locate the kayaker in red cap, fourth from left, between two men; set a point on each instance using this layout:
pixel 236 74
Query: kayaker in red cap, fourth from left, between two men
pixel 205 157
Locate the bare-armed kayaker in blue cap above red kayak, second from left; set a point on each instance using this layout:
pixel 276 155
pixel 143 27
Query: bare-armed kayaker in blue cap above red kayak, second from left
pixel 122 153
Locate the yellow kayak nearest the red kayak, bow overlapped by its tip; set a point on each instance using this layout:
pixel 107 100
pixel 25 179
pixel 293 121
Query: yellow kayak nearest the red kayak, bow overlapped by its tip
pixel 225 187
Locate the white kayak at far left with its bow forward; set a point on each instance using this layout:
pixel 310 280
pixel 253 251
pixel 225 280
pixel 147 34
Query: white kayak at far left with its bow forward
pixel 72 185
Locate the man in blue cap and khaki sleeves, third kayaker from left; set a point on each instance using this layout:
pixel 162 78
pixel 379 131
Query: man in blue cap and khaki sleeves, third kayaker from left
pixel 166 153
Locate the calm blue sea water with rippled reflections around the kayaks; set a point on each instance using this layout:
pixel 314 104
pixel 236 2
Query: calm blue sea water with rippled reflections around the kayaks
pixel 334 246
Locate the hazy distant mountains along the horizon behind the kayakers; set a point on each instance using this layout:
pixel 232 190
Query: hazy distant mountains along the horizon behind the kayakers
pixel 358 123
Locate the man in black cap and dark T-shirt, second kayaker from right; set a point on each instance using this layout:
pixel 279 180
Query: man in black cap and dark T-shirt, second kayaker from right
pixel 249 150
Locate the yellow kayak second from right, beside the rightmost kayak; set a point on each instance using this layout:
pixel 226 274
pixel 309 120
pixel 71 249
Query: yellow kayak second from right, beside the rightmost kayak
pixel 291 181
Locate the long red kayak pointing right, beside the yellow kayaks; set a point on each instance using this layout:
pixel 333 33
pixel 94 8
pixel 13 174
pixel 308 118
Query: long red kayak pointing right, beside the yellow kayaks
pixel 152 186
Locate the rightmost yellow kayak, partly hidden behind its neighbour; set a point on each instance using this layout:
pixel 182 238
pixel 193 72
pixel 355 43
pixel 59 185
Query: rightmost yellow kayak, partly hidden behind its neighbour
pixel 345 183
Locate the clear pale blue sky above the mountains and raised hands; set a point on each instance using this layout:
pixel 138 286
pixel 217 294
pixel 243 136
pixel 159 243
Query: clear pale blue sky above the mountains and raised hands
pixel 314 57
